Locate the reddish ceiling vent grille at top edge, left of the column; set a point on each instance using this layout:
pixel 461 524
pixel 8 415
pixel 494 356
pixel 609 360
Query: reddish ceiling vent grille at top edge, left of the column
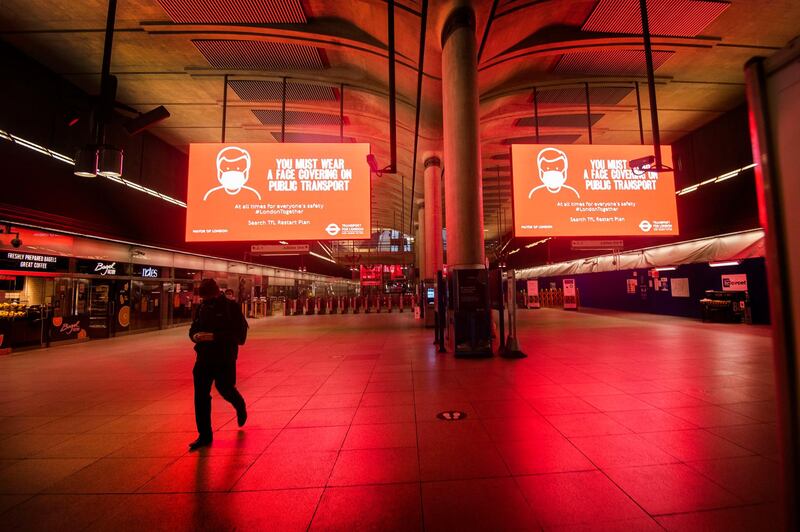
pixel 237 12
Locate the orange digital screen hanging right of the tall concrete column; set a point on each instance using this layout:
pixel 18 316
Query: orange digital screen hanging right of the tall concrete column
pixel 590 190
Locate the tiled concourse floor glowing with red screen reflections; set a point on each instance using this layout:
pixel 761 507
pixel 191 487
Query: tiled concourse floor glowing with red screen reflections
pixel 614 422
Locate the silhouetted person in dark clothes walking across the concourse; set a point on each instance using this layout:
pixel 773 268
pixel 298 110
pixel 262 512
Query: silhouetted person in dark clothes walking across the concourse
pixel 218 329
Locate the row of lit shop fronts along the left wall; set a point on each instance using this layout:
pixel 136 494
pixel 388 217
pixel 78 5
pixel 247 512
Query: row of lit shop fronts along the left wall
pixel 57 287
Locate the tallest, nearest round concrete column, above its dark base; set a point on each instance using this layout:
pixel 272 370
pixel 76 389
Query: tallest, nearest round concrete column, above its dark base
pixel 462 150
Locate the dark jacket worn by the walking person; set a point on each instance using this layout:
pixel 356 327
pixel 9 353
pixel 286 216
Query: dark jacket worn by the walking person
pixel 223 318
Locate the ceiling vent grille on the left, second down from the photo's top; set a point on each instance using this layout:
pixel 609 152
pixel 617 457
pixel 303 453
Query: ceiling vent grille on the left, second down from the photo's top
pixel 260 55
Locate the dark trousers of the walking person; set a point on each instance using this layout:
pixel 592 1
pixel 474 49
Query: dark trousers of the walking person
pixel 222 372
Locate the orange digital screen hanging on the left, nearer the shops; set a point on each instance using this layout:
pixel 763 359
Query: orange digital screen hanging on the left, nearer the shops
pixel 277 191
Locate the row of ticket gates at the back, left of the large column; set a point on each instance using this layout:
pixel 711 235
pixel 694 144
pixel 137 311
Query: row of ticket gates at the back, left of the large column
pixel 348 305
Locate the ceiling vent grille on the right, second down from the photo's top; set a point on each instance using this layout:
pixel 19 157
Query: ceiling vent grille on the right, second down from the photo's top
pixel 610 62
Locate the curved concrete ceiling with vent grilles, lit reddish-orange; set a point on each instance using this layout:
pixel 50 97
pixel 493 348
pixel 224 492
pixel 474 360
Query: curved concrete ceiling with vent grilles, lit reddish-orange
pixel 176 52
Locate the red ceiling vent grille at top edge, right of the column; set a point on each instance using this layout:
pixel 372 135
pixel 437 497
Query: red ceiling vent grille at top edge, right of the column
pixel 677 18
